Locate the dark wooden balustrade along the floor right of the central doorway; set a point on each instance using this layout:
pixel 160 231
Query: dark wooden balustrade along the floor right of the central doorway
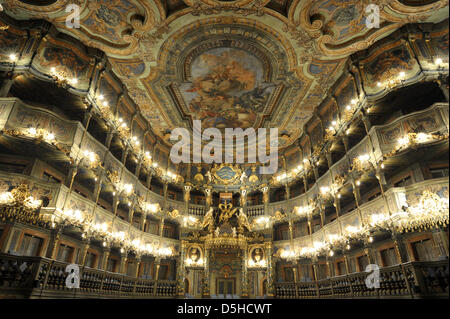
pixel 409 280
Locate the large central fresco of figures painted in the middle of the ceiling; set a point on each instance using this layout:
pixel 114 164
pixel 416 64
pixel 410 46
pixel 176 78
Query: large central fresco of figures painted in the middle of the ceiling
pixel 228 89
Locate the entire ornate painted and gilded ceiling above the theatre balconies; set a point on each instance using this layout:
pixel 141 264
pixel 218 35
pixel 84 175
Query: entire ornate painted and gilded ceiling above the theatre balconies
pixel 243 63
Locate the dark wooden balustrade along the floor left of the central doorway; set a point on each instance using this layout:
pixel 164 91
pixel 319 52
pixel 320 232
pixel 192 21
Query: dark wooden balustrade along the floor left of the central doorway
pixel 38 277
